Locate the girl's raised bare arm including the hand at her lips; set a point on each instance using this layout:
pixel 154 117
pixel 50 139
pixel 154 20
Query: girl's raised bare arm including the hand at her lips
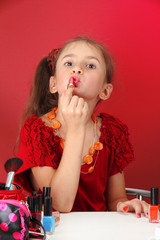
pixel 65 179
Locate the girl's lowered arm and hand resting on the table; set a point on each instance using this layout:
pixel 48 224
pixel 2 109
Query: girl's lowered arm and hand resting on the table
pixel 117 199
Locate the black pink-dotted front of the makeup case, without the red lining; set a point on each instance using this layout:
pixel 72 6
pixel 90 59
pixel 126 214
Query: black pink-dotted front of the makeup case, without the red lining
pixel 15 219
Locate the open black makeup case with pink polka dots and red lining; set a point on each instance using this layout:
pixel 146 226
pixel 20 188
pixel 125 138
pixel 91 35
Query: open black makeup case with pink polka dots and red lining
pixel 15 217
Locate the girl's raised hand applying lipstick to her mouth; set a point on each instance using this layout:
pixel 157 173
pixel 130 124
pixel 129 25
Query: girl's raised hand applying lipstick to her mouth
pixel 74 109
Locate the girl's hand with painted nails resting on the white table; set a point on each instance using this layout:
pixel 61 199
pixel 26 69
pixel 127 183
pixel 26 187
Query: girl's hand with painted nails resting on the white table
pixel 134 205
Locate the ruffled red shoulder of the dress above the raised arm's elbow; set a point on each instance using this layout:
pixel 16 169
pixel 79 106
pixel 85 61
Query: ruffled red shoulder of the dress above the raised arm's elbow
pixel 38 144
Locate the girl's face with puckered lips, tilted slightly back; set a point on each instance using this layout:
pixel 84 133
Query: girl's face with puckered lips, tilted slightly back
pixel 85 62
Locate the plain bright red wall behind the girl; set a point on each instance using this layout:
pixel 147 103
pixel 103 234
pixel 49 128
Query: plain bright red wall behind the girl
pixel 131 30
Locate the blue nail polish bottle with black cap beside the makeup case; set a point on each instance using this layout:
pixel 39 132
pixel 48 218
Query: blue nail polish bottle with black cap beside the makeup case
pixel 48 220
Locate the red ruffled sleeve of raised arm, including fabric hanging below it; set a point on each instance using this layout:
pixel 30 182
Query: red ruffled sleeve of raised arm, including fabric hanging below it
pixel 38 147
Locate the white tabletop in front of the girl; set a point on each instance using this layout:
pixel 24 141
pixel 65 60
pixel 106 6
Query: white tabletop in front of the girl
pixel 103 226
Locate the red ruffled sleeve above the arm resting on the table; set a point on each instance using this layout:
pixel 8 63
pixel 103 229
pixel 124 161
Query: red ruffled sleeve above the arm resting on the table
pixel 115 135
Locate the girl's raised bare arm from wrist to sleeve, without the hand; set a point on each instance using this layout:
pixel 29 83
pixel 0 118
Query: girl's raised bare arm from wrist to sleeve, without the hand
pixel 63 181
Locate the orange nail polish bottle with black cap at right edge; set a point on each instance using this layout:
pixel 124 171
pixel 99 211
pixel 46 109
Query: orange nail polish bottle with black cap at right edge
pixel 154 208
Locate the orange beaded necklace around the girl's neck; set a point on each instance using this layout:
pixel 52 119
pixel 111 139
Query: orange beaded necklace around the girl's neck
pixel 88 159
